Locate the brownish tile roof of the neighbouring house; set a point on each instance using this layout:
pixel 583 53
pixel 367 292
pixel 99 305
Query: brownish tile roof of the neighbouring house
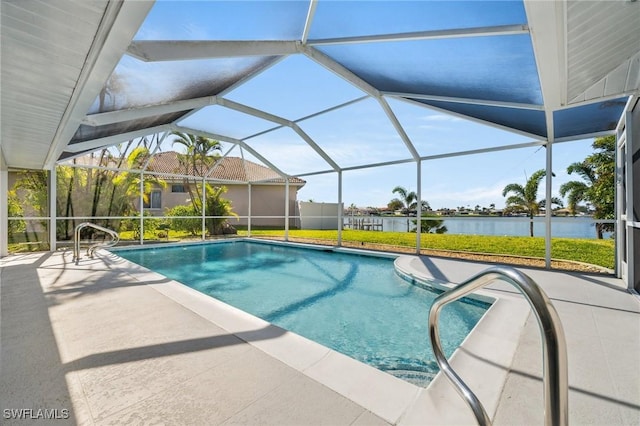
pixel 228 168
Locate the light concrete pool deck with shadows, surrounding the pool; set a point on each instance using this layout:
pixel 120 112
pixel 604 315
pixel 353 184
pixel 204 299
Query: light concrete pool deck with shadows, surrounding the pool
pixel 114 343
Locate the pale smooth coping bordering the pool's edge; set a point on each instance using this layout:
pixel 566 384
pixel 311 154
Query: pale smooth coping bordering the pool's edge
pixel 489 348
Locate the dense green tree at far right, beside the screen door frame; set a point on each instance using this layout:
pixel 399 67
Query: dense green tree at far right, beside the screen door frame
pixel 597 186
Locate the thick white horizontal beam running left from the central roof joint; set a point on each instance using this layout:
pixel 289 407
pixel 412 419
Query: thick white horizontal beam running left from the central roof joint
pixel 180 50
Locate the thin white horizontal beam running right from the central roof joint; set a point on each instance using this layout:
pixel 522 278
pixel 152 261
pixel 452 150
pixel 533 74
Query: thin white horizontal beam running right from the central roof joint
pixel 426 35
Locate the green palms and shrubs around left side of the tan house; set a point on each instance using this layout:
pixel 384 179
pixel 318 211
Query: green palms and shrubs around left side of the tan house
pixel 110 194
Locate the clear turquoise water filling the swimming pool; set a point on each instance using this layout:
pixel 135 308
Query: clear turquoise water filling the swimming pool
pixel 351 303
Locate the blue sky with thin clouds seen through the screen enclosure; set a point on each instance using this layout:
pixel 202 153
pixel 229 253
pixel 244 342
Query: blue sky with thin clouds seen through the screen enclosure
pixel 359 132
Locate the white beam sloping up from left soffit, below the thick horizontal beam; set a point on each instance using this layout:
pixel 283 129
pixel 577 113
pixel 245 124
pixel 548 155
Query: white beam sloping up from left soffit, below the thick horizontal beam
pixel 119 116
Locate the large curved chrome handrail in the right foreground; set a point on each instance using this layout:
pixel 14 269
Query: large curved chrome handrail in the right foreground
pixel 554 348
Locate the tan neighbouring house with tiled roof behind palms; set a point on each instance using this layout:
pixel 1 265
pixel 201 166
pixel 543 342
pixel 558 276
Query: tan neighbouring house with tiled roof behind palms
pixel 267 188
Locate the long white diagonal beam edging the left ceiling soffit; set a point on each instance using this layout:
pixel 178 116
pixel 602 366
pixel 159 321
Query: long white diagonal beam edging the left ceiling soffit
pixel 119 25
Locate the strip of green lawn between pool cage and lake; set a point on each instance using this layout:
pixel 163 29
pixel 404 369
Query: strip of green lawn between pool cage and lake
pixel 592 251
